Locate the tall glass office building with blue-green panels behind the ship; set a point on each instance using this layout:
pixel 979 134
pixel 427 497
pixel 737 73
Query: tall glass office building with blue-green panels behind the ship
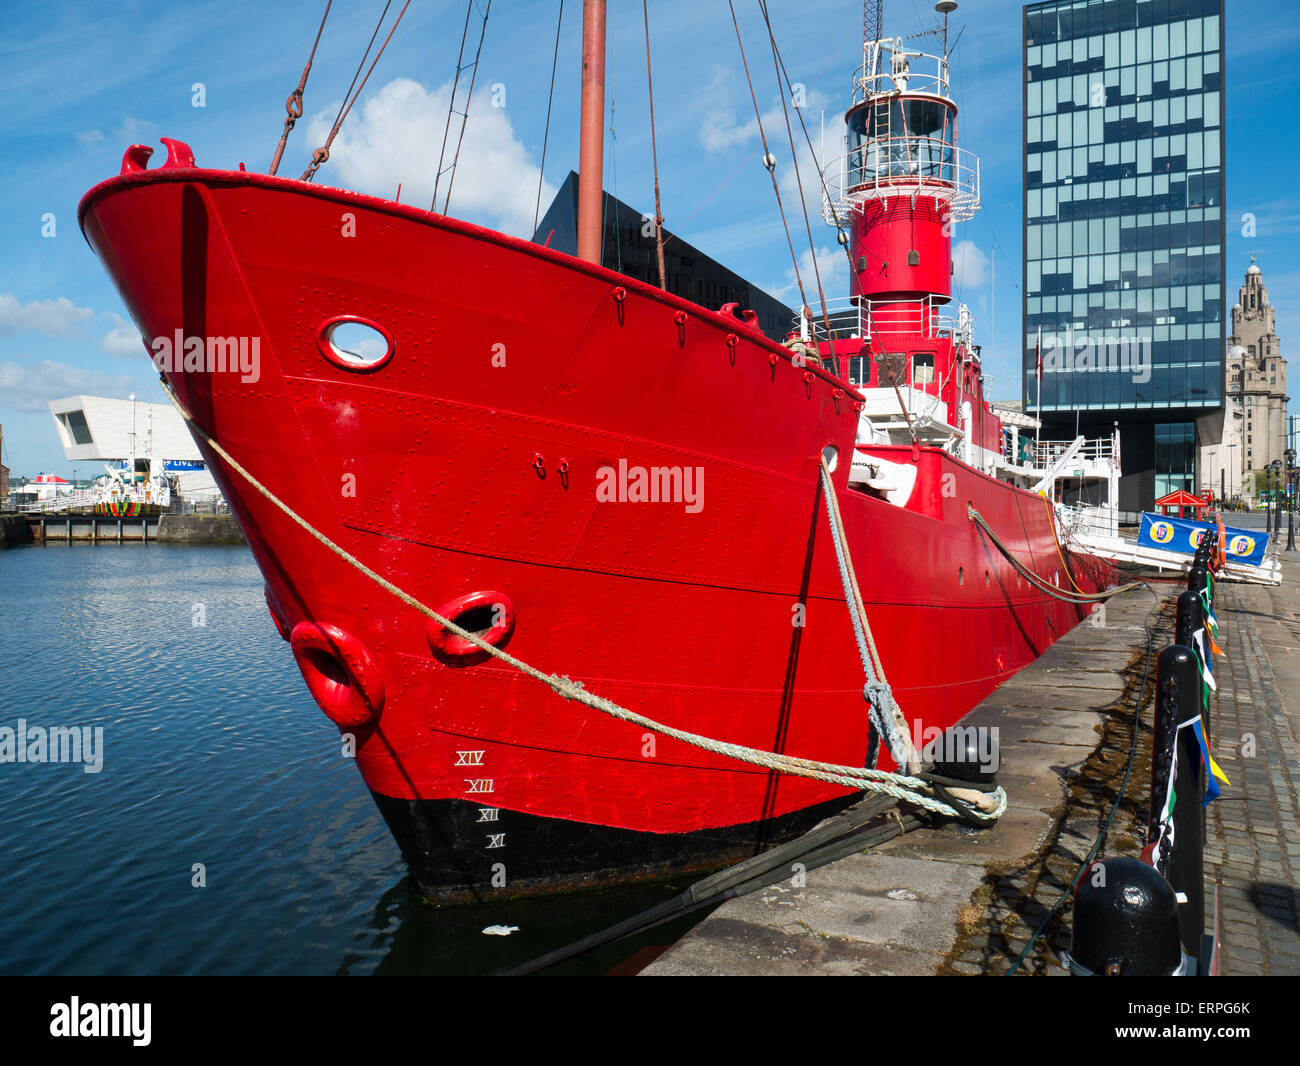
pixel 1125 229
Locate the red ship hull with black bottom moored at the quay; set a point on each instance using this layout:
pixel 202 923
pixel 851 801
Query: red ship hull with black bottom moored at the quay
pixel 469 463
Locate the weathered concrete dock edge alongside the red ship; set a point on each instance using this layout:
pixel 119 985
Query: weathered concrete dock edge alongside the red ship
pixel 956 900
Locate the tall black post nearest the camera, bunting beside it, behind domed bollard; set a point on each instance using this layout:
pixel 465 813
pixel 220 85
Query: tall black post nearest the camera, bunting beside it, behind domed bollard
pixel 1182 835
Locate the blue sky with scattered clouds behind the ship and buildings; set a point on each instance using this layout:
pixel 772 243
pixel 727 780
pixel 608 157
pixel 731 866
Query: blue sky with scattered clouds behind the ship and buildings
pixel 85 80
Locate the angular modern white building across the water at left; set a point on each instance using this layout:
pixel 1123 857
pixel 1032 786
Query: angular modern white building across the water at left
pixel 112 431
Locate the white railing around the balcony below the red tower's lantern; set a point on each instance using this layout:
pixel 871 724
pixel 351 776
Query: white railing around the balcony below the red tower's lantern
pixel 903 167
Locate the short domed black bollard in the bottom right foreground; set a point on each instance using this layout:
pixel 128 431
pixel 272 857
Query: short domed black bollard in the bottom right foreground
pixel 1125 922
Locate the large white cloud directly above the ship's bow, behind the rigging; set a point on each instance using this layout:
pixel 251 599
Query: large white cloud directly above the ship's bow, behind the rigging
pixel 396 137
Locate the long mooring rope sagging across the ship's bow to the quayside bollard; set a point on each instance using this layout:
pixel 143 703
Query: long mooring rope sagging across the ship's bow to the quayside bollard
pixel 899 786
